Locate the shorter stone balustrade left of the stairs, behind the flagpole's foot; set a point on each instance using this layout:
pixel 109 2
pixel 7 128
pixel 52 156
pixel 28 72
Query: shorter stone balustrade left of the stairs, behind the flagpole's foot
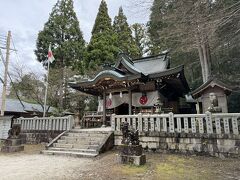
pixel 45 123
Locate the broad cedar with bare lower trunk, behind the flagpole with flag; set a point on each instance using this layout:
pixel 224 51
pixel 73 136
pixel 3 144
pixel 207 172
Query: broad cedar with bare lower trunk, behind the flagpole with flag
pixel 63 33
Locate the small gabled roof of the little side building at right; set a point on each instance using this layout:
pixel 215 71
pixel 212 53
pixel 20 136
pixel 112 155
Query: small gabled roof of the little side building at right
pixel 212 82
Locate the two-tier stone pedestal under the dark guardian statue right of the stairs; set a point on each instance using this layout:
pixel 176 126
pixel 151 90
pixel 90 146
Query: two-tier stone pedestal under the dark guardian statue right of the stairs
pixel 131 154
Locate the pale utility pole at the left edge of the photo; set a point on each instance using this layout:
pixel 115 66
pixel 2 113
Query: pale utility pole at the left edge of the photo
pixel 5 74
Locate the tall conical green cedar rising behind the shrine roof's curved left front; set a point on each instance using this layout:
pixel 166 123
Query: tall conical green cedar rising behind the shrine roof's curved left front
pixel 102 47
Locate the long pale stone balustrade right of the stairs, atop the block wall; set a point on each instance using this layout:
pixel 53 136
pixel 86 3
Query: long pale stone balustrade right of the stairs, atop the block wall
pixel 208 123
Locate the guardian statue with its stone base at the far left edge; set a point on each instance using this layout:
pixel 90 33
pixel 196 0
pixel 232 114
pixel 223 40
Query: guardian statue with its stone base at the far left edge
pixel 13 143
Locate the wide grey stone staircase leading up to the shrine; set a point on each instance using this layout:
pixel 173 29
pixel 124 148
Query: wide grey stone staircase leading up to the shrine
pixel 81 143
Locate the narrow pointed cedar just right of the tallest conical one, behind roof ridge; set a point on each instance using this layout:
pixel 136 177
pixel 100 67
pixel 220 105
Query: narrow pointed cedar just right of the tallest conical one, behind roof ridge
pixel 125 41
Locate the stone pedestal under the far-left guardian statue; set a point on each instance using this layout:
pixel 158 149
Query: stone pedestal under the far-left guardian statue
pixel 12 145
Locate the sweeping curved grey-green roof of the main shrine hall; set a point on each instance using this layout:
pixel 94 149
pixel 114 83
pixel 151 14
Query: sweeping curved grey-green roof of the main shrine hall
pixel 127 70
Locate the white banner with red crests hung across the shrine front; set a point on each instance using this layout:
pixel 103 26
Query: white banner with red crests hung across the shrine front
pixel 138 100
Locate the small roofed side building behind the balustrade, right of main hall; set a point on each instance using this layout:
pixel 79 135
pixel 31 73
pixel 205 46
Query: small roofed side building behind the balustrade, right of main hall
pixel 212 91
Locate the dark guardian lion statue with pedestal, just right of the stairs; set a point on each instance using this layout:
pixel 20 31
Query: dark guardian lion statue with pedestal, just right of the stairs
pixel 130 150
